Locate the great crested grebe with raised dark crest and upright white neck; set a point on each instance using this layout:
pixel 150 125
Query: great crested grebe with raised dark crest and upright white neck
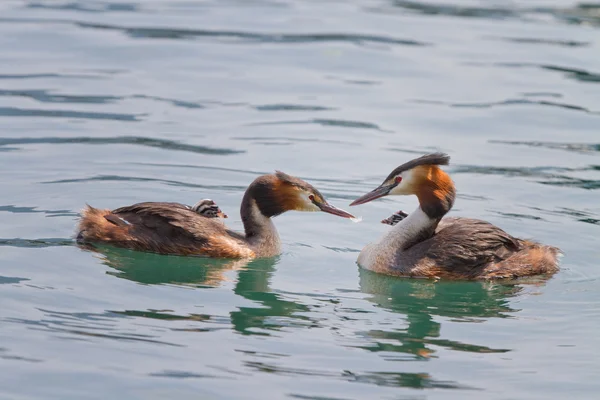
pixel 422 244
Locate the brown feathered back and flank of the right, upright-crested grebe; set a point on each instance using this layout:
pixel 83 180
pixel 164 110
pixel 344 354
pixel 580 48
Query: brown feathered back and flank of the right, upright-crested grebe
pixel 464 248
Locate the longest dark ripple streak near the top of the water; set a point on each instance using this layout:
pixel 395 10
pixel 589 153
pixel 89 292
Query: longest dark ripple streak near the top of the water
pixel 173 33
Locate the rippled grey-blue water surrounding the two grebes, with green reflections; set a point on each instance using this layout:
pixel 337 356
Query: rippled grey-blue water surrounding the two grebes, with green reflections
pixel 118 102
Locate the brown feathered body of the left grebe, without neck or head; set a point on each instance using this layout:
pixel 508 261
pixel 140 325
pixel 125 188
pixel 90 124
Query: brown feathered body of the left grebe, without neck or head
pixel 167 228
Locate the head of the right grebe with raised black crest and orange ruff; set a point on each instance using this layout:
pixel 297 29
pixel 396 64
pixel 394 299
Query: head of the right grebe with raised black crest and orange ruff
pixel 420 177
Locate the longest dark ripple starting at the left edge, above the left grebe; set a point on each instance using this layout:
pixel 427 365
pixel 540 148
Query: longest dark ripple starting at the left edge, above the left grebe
pixel 163 144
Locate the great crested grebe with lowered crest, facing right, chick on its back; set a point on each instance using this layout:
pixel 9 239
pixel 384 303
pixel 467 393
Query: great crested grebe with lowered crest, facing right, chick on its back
pixel 173 228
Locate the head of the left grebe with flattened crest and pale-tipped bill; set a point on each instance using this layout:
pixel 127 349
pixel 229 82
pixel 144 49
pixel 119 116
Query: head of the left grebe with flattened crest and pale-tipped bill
pixel 280 192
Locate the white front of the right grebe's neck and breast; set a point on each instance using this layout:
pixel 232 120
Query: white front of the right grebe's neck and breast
pixel 381 255
